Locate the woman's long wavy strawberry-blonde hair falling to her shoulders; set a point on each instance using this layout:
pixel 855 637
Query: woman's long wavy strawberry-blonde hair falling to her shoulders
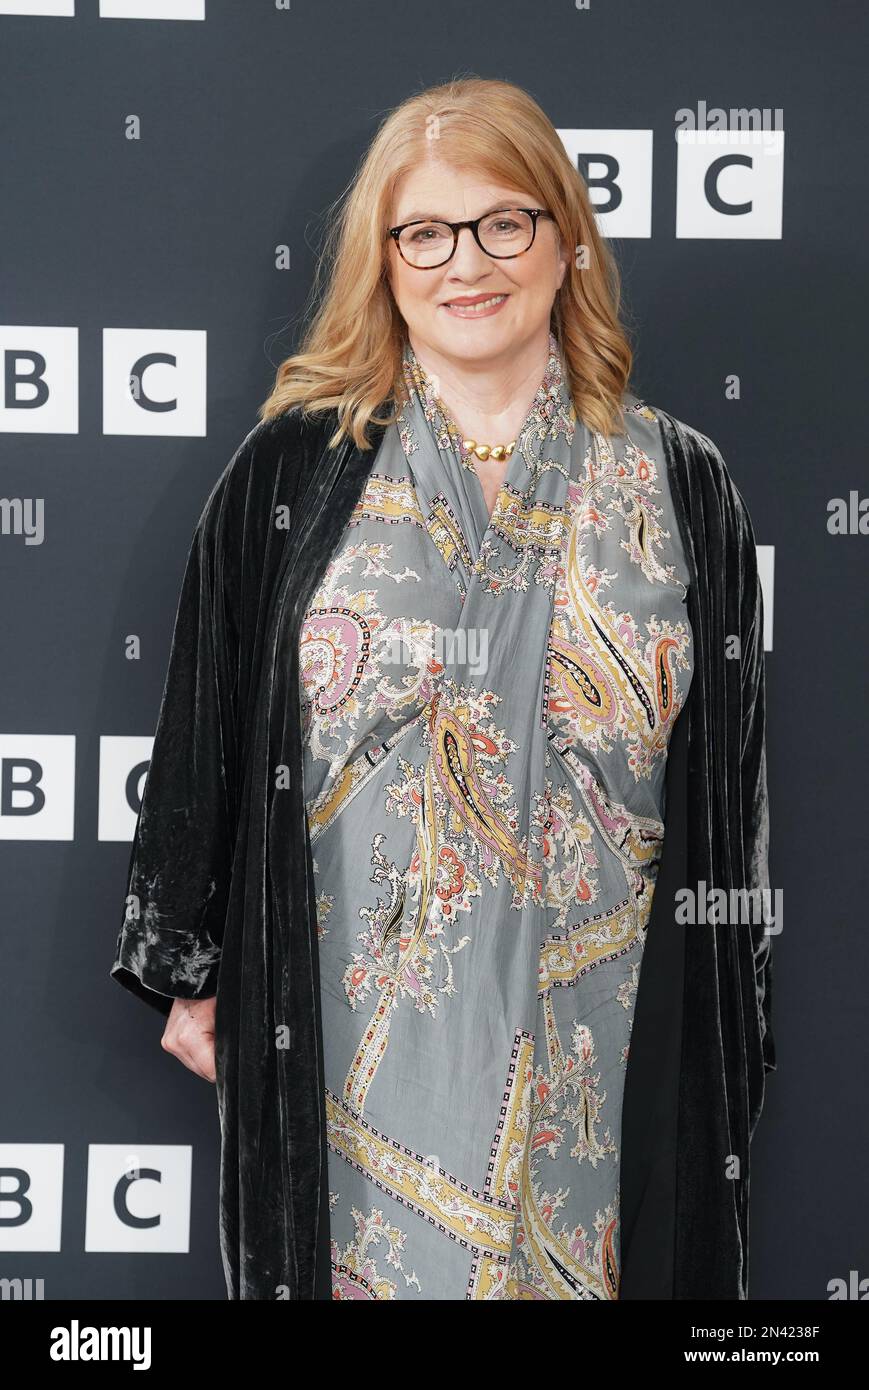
pixel 351 355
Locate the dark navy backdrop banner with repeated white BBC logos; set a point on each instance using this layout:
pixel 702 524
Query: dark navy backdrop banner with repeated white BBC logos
pixel 168 173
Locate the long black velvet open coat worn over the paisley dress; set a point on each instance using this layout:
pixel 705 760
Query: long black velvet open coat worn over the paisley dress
pixel 222 896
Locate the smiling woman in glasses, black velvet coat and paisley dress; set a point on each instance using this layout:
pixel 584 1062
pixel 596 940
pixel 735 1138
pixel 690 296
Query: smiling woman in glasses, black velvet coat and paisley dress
pixel 397 857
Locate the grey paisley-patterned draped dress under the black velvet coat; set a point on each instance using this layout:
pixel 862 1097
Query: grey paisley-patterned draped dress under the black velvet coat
pixel 487 710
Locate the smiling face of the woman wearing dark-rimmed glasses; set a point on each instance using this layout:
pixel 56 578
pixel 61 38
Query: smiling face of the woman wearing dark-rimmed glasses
pixel 529 283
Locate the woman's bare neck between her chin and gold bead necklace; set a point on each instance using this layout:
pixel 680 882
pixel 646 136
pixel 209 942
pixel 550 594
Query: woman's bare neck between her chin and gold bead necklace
pixel 489 400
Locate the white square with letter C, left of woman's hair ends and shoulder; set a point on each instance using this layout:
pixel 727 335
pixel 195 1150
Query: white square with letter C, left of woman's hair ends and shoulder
pixel 154 382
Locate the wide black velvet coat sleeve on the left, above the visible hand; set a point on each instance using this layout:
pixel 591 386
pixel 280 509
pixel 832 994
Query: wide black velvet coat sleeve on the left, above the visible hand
pixel 180 868
